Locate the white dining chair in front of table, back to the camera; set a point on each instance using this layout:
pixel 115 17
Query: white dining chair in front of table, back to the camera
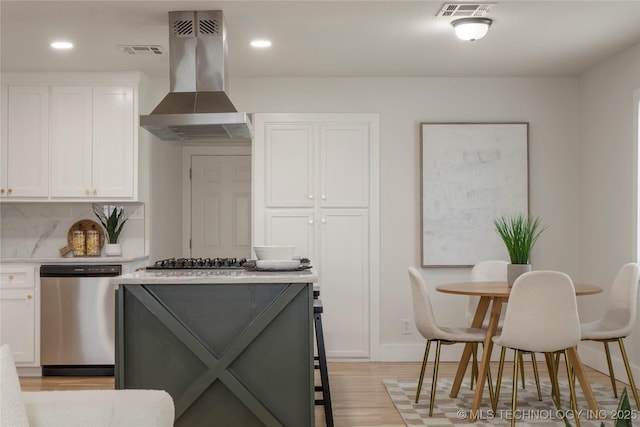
pixel 542 316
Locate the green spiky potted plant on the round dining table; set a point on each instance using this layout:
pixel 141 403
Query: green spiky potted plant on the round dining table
pixel 519 233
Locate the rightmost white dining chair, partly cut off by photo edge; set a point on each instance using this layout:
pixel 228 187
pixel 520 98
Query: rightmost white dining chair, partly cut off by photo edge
pixel 618 320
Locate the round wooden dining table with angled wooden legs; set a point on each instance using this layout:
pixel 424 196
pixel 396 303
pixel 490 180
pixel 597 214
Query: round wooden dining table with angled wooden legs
pixel 494 294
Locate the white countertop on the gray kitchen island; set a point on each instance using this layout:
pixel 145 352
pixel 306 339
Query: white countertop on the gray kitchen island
pixel 205 276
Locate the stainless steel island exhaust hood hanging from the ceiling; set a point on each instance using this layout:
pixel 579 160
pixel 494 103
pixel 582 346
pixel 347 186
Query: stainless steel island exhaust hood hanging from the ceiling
pixel 197 107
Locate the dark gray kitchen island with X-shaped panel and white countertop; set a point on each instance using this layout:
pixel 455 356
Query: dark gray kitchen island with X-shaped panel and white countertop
pixel 233 348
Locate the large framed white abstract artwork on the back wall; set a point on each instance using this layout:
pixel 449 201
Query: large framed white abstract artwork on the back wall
pixel 471 173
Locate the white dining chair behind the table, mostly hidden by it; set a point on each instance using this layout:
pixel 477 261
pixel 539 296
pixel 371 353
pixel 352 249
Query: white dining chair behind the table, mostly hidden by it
pixel 496 271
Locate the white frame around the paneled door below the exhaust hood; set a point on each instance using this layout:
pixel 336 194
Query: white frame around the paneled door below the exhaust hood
pixel 204 149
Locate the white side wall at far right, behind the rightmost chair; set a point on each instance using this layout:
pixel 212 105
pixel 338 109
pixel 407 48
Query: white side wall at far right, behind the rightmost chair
pixel 608 185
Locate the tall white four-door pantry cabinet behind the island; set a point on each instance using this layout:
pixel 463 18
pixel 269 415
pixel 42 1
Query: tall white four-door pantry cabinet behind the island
pixel 316 187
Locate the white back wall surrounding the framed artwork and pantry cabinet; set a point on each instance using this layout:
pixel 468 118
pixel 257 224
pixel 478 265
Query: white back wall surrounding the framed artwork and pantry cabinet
pixel 548 104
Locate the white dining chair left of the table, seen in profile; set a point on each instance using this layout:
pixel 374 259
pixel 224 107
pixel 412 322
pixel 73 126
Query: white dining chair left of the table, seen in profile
pixel 427 326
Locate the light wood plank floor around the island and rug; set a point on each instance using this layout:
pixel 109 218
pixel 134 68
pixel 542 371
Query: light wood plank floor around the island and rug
pixel 358 396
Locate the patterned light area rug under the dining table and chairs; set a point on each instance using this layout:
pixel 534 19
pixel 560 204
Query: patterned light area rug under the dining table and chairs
pixel 530 411
